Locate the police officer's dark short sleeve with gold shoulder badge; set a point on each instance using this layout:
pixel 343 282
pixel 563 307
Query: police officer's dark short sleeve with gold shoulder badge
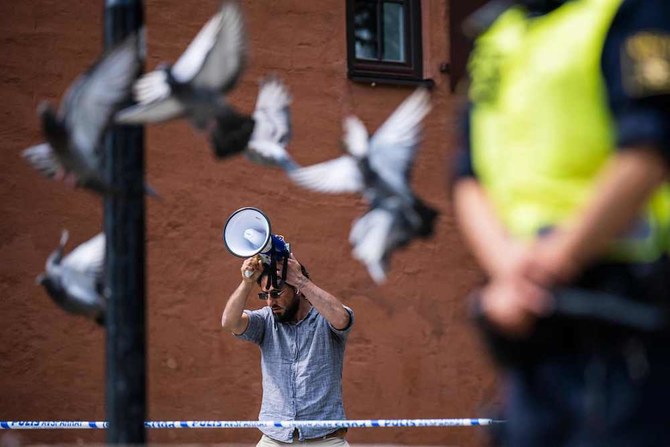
pixel 636 68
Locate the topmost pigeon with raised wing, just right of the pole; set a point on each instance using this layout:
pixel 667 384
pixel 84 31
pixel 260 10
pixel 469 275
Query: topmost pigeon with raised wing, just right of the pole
pixel 195 86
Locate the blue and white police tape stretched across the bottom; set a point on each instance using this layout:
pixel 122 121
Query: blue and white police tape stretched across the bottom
pixel 365 423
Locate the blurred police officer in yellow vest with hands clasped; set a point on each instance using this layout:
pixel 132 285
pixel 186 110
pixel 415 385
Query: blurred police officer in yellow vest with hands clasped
pixel 562 186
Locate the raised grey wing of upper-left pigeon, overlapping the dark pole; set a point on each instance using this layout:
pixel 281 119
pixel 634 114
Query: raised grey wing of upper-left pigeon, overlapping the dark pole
pixel 93 98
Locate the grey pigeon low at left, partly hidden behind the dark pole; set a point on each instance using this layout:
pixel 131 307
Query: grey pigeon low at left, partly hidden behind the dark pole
pixel 75 282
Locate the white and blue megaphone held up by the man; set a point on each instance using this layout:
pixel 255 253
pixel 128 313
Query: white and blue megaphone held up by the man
pixel 248 233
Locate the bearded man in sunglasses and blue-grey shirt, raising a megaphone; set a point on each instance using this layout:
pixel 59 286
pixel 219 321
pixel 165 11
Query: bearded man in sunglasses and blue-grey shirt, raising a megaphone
pixel 302 332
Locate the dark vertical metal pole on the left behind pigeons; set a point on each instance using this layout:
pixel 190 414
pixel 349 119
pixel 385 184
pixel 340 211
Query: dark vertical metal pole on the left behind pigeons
pixel 124 228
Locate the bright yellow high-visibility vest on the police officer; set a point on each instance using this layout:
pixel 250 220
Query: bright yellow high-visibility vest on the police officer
pixel 541 129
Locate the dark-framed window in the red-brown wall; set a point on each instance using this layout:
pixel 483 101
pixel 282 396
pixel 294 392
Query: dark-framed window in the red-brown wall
pixel 384 41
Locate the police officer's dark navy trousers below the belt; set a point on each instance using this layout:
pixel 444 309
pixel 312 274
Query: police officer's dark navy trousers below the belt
pixel 604 399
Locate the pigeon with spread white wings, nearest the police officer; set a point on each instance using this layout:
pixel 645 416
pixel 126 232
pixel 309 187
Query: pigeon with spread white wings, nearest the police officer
pixel 379 169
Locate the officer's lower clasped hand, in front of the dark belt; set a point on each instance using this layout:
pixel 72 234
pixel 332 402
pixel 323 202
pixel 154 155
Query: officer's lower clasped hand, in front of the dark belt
pixel 512 305
